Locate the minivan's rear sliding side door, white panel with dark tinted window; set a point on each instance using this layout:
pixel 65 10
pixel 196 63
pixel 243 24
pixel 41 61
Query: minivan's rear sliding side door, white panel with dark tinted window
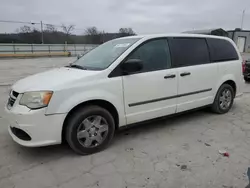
pixel 197 77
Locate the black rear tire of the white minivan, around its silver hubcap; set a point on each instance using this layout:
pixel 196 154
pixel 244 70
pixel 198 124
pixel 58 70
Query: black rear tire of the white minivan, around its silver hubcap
pixel 216 106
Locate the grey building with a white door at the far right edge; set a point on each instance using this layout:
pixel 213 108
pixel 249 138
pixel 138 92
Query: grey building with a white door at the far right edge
pixel 241 38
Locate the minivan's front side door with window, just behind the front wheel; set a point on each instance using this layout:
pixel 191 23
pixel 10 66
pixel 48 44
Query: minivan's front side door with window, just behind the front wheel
pixel 150 93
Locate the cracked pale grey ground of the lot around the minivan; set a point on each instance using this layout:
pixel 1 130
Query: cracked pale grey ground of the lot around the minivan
pixel 171 153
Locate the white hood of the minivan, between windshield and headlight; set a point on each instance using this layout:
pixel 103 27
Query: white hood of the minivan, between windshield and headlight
pixel 52 79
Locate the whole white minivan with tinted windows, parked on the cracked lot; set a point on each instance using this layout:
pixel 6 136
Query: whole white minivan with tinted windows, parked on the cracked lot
pixel 122 82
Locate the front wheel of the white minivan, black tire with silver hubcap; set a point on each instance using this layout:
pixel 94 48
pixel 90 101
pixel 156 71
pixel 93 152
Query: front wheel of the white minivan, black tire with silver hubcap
pixel 77 123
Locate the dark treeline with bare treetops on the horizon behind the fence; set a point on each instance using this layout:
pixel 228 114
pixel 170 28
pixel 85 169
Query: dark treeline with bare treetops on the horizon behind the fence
pixel 91 35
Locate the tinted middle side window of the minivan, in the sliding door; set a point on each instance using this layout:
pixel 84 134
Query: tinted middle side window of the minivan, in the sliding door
pixel 189 51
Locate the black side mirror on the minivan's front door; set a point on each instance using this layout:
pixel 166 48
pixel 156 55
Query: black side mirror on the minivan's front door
pixel 132 66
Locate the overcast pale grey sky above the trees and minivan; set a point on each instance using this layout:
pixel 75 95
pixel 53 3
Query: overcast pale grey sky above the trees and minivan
pixel 144 16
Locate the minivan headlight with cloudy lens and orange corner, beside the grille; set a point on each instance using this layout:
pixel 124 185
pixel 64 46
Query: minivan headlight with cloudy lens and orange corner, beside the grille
pixel 36 99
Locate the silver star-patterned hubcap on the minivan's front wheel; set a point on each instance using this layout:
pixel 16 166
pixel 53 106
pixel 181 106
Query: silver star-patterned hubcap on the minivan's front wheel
pixel 92 131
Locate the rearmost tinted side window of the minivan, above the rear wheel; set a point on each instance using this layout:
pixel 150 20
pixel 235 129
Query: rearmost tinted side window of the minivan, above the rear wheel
pixel 221 50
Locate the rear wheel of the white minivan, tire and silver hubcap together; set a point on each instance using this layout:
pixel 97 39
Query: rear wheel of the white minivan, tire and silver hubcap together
pixel 223 100
